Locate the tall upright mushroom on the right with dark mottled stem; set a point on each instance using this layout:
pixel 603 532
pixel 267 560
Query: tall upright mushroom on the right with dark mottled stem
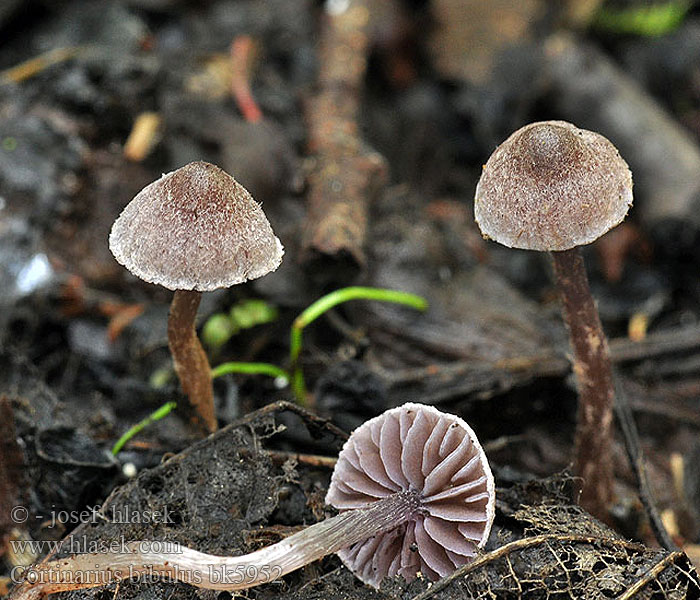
pixel 553 187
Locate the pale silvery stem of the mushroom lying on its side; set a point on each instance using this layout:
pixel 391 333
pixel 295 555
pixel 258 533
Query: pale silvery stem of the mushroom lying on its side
pixel 220 572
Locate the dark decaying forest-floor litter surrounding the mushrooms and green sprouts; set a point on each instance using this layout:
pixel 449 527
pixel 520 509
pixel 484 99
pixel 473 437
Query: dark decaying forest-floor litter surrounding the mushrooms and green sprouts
pixel 362 125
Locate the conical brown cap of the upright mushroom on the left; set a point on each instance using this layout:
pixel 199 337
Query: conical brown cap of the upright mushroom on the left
pixel 196 228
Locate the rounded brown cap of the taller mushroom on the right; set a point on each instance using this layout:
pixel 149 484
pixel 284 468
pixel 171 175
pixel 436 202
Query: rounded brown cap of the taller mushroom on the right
pixel 551 186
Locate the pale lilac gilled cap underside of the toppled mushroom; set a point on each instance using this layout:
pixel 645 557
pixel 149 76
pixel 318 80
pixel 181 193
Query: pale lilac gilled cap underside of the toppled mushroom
pixel 416 447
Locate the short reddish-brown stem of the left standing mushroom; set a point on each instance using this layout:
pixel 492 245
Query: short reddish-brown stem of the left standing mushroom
pixel 191 363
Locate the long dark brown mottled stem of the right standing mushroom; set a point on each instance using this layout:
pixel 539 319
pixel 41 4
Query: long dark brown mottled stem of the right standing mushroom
pixel 593 371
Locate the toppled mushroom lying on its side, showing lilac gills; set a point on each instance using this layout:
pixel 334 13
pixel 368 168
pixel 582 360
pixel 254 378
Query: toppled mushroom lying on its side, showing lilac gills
pixel 415 492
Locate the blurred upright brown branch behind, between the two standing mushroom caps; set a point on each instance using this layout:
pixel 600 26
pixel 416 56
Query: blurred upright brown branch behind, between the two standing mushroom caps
pixel 347 174
